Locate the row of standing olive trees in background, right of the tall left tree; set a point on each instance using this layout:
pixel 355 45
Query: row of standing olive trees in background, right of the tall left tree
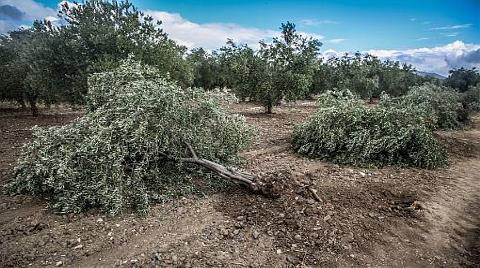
pixel 289 68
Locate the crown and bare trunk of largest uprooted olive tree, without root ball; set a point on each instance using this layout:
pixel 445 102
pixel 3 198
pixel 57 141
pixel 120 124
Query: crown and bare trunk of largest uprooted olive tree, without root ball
pixel 142 140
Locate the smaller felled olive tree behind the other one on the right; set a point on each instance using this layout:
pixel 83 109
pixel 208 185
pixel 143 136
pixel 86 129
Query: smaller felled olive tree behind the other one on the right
pixel 440 107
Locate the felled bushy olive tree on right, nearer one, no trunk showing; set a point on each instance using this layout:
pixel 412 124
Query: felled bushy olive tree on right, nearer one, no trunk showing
pixel 346 131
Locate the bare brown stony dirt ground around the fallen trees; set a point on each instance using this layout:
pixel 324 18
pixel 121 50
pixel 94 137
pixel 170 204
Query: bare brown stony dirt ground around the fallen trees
pixel 357 217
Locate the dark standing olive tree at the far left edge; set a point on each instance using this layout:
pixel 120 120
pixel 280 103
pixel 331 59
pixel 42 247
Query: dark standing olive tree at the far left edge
pixel 27 61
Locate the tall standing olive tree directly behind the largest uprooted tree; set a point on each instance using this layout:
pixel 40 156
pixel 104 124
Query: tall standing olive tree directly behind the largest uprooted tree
pixel 109 31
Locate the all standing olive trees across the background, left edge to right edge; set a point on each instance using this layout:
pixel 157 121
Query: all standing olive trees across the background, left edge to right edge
pixel 51 63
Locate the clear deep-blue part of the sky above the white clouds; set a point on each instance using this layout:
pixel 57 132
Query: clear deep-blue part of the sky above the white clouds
pixel 385 24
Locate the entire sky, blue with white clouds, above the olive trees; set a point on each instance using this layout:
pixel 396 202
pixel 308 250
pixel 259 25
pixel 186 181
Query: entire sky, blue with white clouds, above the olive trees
pixel 433 35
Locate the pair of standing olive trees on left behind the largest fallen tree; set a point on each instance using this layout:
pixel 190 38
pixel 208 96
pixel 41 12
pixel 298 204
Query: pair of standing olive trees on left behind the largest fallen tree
pixel 51 63
